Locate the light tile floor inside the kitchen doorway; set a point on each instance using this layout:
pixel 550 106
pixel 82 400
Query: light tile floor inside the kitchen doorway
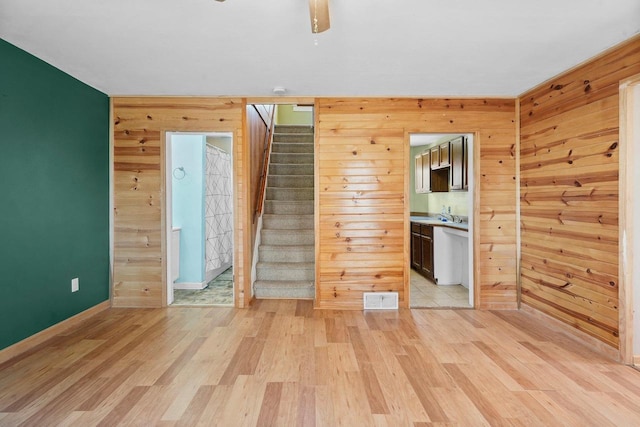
pixel 425 293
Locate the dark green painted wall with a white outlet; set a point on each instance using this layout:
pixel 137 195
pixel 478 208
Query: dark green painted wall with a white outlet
pixel 54 195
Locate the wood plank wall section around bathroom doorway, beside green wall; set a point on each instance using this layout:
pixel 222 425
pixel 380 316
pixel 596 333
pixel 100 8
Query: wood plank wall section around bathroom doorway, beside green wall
pixel 139 126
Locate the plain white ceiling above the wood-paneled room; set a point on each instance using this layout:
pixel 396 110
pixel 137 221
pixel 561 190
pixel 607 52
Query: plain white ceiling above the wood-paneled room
pixel 374 47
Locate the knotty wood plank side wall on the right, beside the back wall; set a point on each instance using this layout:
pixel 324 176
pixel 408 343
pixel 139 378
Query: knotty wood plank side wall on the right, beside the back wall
pixel 569 193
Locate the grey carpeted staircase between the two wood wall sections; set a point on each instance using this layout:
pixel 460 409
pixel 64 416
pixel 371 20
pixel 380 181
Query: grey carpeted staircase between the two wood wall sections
pixel 286 256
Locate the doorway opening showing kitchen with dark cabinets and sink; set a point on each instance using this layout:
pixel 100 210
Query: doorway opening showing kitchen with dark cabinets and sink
pixel 441 220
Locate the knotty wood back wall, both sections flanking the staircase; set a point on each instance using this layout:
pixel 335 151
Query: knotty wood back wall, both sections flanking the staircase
pixel 362 174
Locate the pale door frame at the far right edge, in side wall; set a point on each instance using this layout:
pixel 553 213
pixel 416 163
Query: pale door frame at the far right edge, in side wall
pixel 628 130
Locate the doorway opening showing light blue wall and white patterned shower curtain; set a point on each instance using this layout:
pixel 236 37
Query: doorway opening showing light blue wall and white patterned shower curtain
pixel 200 218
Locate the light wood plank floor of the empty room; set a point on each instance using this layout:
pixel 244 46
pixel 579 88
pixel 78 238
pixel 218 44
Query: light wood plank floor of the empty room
pixel 282 363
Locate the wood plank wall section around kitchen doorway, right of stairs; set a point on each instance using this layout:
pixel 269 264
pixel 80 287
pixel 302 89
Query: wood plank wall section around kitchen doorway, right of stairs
pixel 362 157
